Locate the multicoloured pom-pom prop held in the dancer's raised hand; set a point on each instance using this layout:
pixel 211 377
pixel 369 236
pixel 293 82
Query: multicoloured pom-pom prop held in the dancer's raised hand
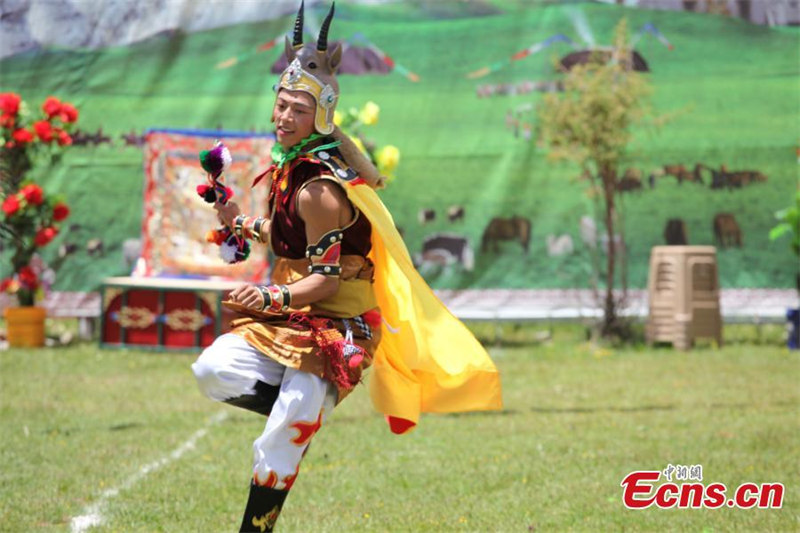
pixel 232 248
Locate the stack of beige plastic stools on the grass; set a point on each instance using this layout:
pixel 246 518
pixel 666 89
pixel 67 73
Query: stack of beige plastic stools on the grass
pixel 683 288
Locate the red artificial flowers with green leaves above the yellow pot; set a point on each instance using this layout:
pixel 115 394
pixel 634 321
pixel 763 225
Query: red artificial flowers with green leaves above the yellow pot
pixel 30 217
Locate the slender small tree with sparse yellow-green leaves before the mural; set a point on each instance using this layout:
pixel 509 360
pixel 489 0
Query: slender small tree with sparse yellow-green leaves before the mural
pixel 590 123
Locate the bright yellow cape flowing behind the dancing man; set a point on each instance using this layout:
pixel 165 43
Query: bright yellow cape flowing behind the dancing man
pixel 427 361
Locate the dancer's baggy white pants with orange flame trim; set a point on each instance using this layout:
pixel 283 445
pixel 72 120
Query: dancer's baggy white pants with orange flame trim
pixel 231 368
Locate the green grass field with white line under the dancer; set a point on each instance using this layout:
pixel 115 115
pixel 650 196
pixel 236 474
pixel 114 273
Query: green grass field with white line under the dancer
pixel 127 436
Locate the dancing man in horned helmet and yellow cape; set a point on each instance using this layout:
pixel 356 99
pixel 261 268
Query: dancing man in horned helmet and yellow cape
pixel 341 282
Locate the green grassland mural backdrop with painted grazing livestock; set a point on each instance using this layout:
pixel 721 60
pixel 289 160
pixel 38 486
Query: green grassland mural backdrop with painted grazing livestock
pixel 478 201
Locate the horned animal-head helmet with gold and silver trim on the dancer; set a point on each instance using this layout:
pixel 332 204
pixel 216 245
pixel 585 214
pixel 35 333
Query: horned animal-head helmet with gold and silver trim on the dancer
pixel 312 69
